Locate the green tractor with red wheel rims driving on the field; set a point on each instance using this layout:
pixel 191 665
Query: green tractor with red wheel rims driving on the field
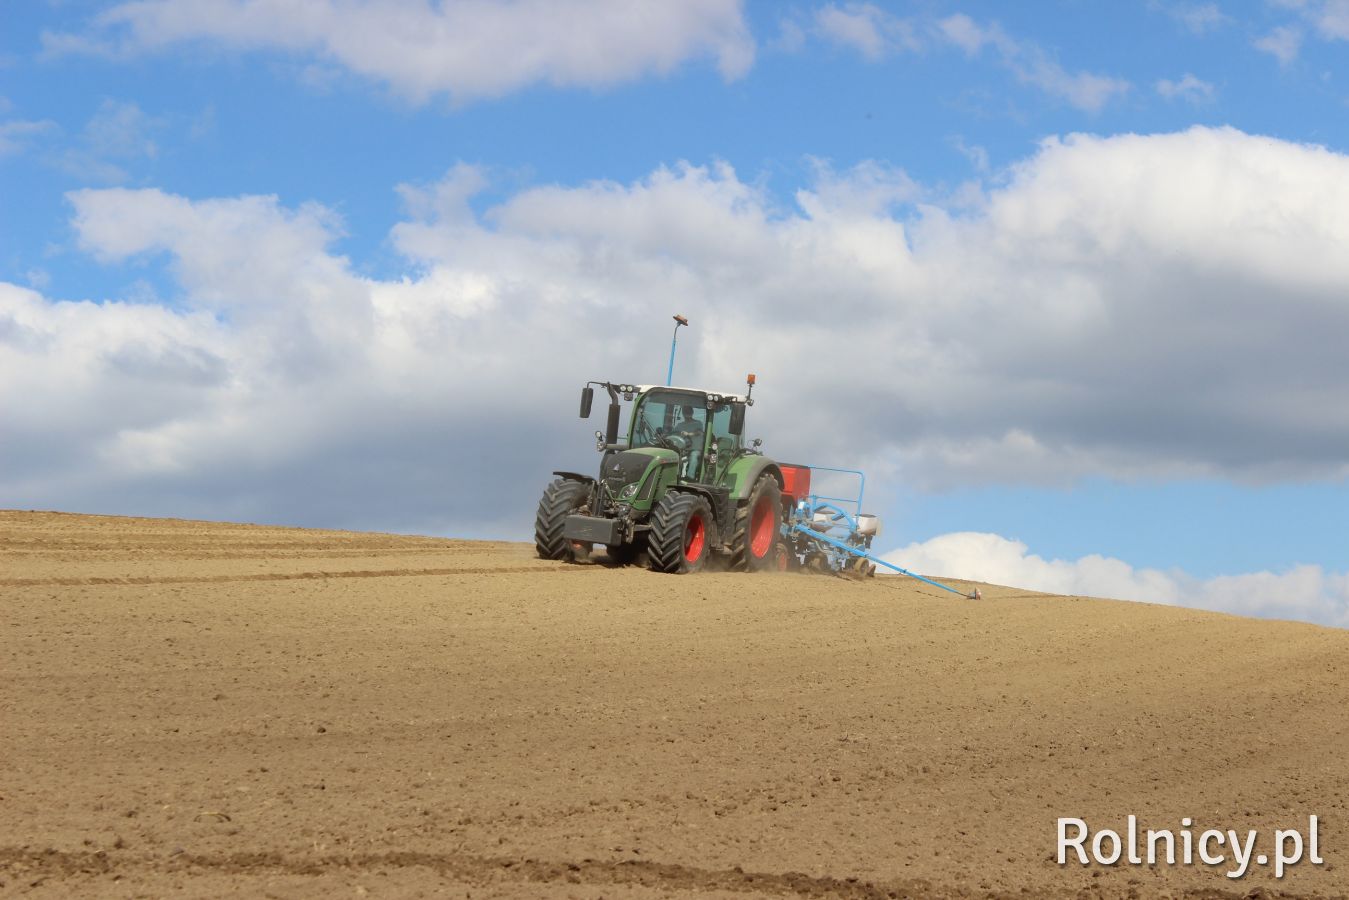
pixel 682 490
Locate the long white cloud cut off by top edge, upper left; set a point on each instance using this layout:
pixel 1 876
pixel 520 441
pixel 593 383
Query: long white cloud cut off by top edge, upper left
pixel 470 49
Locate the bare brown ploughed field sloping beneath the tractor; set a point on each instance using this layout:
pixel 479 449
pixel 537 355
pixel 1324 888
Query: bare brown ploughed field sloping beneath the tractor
pixel 198 709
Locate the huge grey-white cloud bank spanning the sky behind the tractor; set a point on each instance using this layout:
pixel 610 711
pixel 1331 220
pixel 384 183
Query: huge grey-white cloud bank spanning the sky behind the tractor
pixel 1124 307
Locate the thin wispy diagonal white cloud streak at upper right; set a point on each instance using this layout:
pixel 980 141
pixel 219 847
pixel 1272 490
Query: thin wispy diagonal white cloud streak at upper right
pixel 1031 64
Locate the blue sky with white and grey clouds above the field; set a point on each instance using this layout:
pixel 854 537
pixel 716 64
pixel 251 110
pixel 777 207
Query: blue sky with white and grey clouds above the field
pixel 1069 280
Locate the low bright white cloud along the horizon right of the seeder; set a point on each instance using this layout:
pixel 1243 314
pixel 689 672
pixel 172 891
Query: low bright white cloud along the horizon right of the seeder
pixel 1305 593
